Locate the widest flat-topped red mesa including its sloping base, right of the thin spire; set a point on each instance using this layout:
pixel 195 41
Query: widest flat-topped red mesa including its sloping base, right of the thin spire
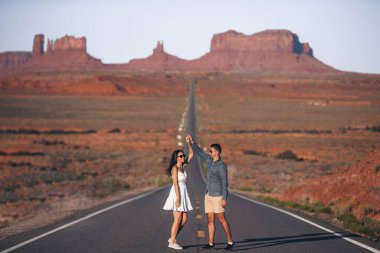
pixel 267 51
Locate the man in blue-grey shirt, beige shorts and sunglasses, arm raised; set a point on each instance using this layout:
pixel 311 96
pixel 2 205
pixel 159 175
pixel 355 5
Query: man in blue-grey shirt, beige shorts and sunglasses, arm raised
pixel 216 192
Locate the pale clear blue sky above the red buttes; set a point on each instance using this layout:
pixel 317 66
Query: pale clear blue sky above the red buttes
pixel 344 34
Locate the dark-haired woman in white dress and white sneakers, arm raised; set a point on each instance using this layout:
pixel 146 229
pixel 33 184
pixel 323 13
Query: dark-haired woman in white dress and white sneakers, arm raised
pixel 178 200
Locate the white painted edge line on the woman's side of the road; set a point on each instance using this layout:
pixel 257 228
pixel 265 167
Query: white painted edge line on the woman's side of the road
pixel 80 220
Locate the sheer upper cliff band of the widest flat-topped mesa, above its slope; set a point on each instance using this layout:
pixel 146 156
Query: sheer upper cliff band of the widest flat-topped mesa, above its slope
pixel 275 41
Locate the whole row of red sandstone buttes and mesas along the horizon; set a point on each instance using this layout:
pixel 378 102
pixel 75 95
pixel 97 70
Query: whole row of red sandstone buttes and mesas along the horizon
pixel 267 51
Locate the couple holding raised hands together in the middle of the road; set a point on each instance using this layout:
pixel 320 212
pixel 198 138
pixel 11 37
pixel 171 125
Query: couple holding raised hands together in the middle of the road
pixel 215 199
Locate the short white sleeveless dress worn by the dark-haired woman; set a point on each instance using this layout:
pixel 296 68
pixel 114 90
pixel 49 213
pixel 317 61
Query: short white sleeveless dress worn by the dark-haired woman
pixel 184 203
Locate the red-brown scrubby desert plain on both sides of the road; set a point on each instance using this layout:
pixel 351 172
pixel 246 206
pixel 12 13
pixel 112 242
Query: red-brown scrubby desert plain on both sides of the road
pixel 63 153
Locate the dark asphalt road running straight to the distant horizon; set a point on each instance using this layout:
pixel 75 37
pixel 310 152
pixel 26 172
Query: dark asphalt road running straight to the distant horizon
pixel 141 225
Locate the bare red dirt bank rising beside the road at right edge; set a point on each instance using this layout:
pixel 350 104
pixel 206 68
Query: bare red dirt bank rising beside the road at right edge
pixel 356 186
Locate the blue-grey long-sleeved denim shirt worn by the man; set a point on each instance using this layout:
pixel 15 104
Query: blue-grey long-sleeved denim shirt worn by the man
pixel 217 183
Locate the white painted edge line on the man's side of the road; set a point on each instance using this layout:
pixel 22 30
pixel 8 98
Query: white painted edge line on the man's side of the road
pixel 311 223
